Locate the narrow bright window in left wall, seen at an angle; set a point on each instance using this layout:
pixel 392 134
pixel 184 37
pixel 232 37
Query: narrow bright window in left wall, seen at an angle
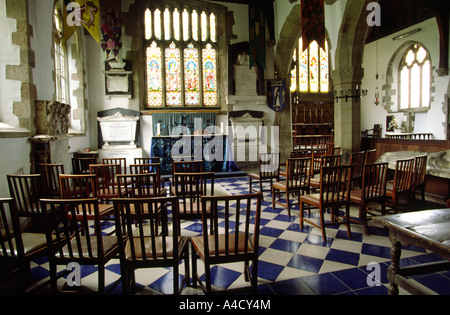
pixel 61 73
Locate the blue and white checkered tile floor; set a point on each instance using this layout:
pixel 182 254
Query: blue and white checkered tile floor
pixel 291 260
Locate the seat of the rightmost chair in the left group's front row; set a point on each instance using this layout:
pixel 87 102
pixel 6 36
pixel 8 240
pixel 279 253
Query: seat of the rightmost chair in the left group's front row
pixel 199 245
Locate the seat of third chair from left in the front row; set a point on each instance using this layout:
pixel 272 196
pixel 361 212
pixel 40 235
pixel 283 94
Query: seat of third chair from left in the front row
pixel 159 248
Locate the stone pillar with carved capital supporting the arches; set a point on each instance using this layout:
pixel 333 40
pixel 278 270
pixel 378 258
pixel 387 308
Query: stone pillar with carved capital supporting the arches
pixel 347 111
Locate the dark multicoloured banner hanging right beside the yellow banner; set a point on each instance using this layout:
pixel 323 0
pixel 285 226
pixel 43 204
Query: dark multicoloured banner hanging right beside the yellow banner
pixel 111 28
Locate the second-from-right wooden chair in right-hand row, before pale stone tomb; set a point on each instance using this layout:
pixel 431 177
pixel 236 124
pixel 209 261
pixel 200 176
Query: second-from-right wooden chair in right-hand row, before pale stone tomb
pixel 401 185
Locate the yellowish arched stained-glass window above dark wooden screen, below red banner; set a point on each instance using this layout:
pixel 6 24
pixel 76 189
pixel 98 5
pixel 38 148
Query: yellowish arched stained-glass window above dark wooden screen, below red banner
pixel 310 72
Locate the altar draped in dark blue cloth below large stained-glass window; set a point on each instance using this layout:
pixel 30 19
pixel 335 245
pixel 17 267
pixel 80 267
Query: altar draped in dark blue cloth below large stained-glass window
pixel 213 149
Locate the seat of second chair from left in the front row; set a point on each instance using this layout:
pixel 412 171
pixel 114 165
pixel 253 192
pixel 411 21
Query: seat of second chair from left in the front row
pixel 109 244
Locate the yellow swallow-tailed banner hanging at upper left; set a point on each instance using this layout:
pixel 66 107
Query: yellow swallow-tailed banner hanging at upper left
pixel 82 13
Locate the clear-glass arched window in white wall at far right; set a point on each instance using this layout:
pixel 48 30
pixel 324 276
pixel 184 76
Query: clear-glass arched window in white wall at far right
pixel 415 79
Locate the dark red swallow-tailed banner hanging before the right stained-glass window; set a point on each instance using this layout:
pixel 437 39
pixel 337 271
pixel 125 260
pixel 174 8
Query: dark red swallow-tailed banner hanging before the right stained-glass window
pixel 313 23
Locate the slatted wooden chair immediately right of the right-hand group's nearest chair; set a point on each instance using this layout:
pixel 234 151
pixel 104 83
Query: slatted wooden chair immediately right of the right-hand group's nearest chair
pixel 373 190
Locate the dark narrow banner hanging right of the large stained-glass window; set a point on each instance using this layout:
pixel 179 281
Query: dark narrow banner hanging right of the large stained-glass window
pixel 257 34
